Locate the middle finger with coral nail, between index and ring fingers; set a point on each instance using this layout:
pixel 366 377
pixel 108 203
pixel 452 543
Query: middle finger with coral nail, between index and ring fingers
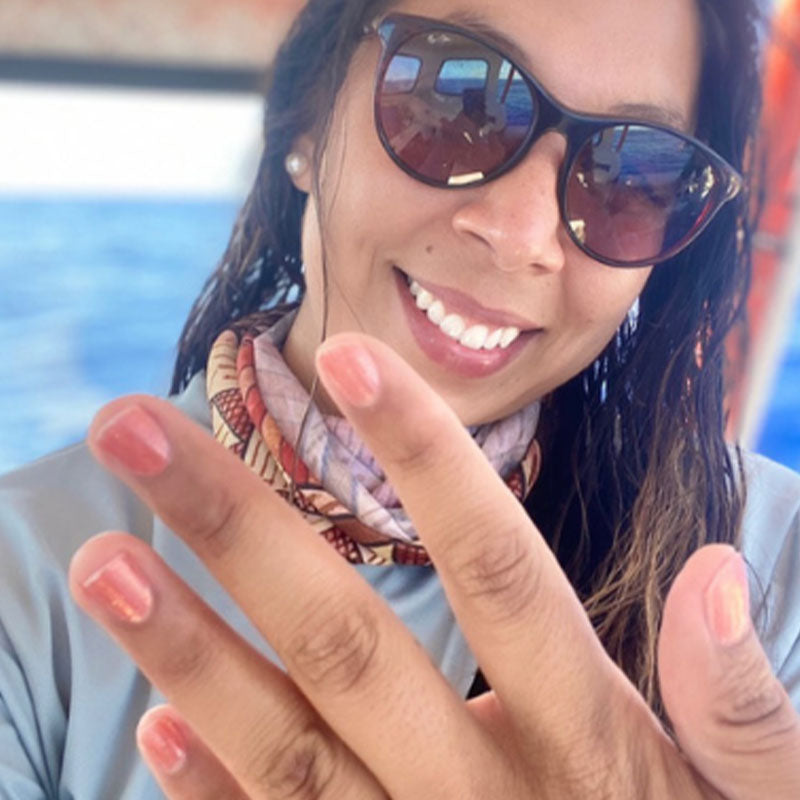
pixel 345 650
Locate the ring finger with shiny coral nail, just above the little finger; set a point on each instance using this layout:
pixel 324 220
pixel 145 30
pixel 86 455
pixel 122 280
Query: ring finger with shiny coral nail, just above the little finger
pixel 246 710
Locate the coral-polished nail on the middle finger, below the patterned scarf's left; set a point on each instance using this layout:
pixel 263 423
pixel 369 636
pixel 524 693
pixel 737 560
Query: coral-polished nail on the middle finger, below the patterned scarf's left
pixel 136 440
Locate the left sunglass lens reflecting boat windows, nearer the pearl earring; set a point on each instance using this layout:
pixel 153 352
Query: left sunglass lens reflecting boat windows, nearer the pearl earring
pixel 452 111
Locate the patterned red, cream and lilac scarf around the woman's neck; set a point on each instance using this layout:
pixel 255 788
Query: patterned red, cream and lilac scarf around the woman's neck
pixel 259 409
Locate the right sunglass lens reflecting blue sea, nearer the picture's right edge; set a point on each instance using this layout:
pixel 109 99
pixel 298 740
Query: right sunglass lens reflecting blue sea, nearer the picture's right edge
pixel 637 194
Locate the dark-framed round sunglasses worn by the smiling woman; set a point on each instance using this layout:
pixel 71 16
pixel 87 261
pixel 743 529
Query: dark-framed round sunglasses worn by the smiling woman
pixel 454 111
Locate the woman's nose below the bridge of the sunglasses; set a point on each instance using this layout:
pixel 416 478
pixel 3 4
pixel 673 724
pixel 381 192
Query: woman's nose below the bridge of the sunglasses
pixel 516 216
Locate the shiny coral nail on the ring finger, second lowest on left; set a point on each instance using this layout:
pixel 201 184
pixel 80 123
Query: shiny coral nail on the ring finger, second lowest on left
pixel 121 588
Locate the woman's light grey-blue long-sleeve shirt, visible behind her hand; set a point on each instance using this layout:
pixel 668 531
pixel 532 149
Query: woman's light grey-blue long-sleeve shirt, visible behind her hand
pixel 70 699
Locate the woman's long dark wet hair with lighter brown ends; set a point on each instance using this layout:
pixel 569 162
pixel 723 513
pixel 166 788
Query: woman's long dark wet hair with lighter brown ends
pixel 636 472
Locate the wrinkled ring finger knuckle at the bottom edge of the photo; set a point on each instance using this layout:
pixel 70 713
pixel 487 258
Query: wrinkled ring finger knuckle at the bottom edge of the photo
pixel 302 768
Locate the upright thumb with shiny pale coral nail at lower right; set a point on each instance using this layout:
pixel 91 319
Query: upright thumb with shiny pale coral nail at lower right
pixel 731 715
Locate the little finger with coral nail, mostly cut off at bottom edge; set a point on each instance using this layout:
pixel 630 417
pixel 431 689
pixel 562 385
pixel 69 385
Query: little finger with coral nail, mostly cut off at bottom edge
pixel 183 766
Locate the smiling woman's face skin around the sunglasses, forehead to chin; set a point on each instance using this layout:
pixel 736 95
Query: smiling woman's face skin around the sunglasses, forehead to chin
pixel 497 254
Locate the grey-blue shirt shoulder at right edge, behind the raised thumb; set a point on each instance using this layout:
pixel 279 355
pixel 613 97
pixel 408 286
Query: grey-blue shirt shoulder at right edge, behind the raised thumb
pixel 771 547
